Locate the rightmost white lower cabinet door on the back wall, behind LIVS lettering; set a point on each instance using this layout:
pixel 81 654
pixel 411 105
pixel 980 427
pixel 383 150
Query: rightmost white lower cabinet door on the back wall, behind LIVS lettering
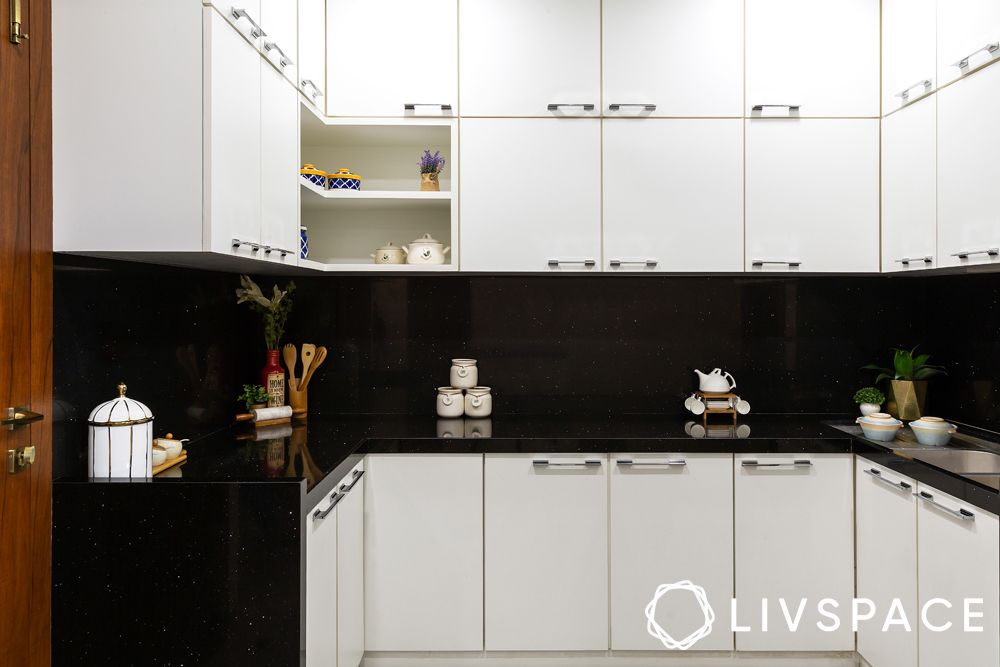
pixel 794 539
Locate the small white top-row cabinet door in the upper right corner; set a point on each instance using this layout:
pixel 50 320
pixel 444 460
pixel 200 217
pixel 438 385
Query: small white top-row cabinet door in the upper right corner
pixel 966 34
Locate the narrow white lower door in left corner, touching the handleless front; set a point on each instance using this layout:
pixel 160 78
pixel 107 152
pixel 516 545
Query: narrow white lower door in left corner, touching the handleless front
pixel 351 572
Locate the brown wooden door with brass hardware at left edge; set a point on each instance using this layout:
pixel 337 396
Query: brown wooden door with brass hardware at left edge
pixel 26 332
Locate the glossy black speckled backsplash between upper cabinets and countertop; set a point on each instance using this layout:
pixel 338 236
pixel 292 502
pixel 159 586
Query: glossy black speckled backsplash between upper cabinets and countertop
pixel 566 344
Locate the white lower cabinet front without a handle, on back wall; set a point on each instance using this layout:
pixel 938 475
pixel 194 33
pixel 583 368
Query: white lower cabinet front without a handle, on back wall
pixel 424 552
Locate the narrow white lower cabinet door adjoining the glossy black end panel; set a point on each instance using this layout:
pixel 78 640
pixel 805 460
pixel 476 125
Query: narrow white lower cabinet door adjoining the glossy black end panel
pixel 321 584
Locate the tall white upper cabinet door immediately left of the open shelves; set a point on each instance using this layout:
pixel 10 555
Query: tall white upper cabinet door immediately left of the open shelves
pixel 279 188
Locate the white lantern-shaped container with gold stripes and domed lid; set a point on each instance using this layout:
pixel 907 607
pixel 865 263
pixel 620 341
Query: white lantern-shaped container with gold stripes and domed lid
pixel 121 439
